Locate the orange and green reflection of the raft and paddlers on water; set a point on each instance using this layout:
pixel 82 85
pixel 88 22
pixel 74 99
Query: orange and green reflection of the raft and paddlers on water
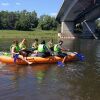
pixel 18 73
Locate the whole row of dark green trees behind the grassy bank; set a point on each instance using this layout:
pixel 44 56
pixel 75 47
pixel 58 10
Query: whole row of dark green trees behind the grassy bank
pixel 24 20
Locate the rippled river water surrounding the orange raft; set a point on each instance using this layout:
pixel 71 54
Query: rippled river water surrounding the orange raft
pixel 76 81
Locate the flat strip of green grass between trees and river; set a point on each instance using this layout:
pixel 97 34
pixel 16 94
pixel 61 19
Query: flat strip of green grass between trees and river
pixel 28 34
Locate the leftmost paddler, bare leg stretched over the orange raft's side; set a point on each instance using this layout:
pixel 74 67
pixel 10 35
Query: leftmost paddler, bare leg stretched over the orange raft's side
pixel 14 49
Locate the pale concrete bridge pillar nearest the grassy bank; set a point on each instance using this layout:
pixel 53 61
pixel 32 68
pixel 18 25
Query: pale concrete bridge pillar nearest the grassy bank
pixel 67 28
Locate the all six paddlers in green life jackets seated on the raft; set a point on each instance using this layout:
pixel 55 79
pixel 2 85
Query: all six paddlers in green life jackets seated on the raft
pixel 20 49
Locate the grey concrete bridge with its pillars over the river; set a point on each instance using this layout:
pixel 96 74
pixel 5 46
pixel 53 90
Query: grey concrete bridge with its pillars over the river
pixel 74 12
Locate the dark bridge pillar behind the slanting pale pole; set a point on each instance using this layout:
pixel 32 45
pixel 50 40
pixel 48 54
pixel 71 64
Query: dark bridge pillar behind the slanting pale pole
pixel 88 28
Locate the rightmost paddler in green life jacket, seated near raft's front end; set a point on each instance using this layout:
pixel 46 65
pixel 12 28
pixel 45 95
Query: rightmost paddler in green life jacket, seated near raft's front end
pixel 58 50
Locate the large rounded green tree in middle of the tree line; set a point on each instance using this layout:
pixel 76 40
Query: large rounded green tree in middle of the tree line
pixel 27 21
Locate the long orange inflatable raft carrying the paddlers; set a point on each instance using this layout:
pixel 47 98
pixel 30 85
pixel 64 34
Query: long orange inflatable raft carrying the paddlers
pixel 36 60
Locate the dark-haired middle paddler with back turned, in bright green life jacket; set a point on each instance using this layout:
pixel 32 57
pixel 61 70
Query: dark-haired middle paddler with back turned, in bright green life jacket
pixel 43 51
